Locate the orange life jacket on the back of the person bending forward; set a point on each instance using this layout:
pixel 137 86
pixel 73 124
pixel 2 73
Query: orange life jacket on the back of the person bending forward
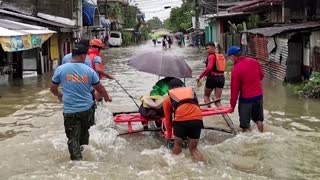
pixel 183 95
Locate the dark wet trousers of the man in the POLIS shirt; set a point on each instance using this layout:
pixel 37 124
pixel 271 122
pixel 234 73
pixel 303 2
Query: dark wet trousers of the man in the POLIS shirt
pixel 77 127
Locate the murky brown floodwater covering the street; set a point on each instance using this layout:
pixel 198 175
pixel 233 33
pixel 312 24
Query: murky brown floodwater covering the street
pixel 34 146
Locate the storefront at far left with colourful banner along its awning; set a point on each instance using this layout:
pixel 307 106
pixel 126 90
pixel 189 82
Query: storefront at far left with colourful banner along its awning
pixel 25 49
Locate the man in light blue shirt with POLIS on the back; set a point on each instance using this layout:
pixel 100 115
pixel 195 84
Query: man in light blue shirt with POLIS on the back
pixel 77 80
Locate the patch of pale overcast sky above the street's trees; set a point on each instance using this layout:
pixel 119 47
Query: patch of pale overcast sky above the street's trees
pixel 155 8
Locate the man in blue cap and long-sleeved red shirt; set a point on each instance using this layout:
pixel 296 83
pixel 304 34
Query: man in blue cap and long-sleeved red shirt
pixel 246 79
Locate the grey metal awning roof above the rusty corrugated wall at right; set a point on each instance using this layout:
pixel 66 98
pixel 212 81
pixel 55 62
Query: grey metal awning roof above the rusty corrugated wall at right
pixel 272 31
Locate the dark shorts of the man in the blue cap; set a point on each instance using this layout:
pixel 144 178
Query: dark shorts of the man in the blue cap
pixel 250 111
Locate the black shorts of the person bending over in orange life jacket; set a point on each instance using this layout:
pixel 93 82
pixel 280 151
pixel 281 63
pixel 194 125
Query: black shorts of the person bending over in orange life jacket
pixel 188 129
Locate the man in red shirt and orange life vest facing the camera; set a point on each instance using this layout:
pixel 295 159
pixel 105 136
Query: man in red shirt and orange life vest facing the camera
pixel 215 78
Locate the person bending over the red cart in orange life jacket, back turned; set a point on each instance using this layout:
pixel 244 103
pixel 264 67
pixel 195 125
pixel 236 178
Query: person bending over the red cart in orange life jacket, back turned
pixel 183 115
